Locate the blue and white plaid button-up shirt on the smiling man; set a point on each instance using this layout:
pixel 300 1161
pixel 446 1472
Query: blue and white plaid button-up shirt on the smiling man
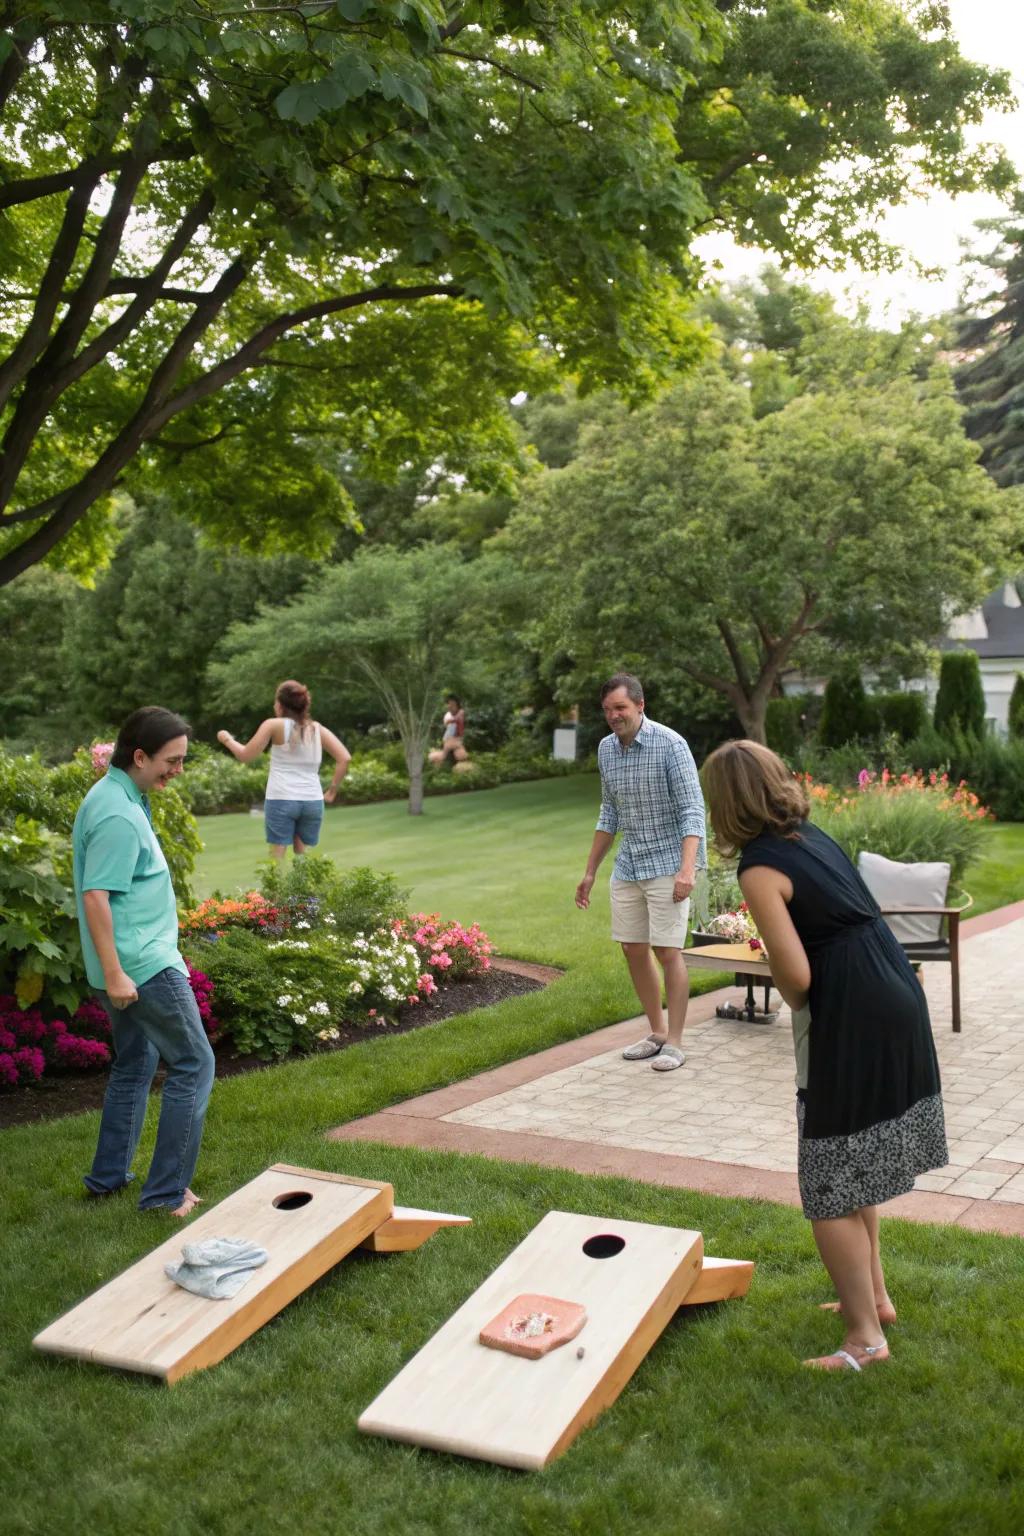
pixel 650 793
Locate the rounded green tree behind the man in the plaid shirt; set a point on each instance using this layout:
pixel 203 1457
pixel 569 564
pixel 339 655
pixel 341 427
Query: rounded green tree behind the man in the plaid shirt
pixel 695 538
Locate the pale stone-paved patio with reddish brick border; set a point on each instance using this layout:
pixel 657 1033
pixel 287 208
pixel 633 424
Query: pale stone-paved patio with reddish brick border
pixel 725 1122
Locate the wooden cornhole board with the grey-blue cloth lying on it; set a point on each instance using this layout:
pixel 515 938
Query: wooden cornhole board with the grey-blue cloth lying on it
pixel 305 1219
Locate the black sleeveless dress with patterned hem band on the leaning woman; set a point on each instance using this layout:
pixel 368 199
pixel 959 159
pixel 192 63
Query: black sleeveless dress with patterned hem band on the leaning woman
pixel 871 1119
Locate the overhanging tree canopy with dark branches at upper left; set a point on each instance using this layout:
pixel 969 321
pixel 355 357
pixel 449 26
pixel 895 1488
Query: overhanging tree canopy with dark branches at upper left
pixel 288 230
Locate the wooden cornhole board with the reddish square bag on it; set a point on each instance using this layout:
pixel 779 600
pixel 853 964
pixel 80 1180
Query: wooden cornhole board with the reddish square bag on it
pixel 458 1395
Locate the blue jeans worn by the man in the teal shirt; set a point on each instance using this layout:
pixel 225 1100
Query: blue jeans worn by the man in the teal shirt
pixel 165 1022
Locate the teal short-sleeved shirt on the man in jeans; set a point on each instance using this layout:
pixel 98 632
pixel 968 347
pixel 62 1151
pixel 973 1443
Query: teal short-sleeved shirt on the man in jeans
pixel 116 850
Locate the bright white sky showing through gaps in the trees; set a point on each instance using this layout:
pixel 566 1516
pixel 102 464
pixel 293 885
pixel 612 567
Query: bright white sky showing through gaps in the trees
pixel 989 31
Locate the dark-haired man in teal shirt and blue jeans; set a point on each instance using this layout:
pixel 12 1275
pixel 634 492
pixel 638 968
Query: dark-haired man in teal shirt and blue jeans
pixel 130 939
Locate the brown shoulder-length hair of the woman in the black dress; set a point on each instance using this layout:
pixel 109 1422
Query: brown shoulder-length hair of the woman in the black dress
pixel 750 792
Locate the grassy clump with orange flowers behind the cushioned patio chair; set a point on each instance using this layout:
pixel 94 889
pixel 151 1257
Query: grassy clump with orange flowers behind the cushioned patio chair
pixel 914 819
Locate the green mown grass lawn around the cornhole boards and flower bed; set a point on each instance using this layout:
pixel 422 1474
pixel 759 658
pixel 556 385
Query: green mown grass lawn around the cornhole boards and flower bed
pixel 719 1432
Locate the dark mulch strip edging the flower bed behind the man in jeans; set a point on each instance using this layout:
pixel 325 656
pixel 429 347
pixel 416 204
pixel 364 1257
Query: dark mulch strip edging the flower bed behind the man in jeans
pixel 74 1093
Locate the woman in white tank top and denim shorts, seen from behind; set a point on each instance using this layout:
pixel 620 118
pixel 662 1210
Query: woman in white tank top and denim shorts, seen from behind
pixel 294 807
